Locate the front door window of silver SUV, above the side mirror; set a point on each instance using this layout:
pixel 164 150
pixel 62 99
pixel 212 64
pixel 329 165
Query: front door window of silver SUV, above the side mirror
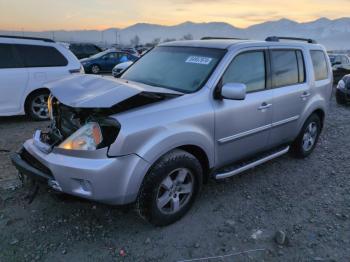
pixel 249 69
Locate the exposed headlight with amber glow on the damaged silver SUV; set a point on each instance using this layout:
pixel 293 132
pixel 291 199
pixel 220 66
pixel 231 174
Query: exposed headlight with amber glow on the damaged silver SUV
pixel 87 137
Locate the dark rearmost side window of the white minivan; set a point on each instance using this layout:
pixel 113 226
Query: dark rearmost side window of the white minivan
pixel 41 56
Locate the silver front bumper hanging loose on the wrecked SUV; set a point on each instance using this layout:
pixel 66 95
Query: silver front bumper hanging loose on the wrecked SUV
pixel 91 175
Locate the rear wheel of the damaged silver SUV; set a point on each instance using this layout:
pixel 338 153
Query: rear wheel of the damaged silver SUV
pixel 307 139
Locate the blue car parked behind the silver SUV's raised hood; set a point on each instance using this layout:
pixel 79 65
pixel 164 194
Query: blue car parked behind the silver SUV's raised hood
pixel 106 61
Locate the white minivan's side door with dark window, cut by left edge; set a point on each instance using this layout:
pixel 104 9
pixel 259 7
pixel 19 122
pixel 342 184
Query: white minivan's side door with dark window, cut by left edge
pixel 13 80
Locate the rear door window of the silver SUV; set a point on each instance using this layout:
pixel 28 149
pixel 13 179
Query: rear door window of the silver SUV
pixel 287 67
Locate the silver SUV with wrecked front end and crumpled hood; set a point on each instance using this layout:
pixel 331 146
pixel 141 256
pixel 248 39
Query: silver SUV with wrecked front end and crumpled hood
pixel 185 112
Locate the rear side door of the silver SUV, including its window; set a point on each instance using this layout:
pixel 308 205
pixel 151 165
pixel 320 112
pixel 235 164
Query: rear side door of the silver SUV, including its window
pixel 290 93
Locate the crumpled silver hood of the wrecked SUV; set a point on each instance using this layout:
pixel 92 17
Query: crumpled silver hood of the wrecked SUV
pixel 88 91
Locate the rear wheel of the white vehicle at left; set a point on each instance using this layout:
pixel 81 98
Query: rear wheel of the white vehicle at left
pixel 36 105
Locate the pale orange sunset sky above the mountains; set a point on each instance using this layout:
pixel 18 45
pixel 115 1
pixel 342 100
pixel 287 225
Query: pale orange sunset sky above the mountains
pixel 39 15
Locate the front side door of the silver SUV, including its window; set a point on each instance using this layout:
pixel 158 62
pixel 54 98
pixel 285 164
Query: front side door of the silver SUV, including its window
pixel 242 127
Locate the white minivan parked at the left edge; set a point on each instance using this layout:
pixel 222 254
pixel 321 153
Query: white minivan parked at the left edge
pixel 26 65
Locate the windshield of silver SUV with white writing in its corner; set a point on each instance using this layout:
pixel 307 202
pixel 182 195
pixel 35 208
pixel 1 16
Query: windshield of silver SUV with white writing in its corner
pixel 185 69
